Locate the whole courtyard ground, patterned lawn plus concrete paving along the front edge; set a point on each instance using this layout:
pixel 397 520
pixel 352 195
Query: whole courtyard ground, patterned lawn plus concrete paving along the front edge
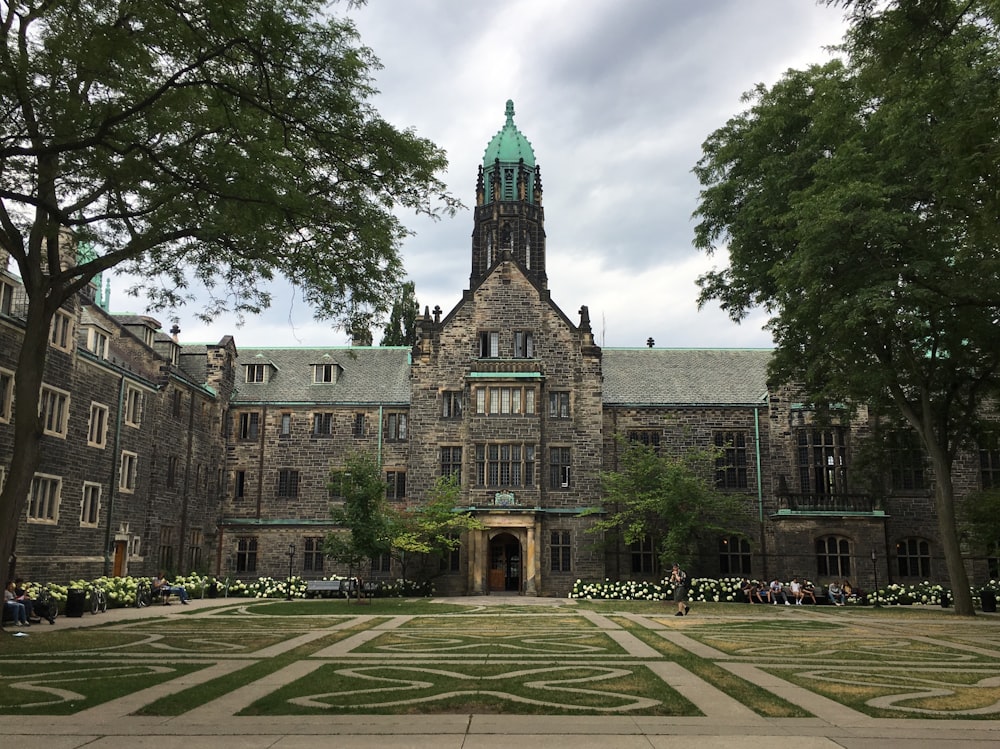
pixel 479 673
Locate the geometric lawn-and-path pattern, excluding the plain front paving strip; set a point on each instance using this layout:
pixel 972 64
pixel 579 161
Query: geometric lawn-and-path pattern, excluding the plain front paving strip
pixel 549 657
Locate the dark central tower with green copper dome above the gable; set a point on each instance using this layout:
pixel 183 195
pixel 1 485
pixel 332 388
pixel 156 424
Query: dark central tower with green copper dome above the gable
pixel 509 217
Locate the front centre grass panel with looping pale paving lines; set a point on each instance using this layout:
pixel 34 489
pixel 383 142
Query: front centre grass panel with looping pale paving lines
pixel 516 689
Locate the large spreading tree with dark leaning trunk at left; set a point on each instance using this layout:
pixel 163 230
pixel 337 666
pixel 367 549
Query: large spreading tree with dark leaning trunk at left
pixel 196 146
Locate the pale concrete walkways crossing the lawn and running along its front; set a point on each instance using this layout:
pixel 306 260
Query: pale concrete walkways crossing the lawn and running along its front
pixel 726 722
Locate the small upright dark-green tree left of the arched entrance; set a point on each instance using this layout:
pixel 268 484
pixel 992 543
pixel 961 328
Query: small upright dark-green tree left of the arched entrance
pixel 367 519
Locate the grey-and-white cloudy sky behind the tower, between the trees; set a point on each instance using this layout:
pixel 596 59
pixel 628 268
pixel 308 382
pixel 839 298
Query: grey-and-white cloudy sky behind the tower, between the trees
pixel 616 97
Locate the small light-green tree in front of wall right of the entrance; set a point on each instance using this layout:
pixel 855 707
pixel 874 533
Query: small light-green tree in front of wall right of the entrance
pixel 667 498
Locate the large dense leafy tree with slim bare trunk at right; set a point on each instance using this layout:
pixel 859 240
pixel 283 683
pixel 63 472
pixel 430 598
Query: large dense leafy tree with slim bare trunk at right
pixel 859 205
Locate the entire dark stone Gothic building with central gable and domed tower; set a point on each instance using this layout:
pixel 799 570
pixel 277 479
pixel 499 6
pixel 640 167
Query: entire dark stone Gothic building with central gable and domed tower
pixel 226 469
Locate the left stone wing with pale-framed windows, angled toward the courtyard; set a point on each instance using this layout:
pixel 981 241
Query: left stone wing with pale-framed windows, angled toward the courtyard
pixel 133 448
